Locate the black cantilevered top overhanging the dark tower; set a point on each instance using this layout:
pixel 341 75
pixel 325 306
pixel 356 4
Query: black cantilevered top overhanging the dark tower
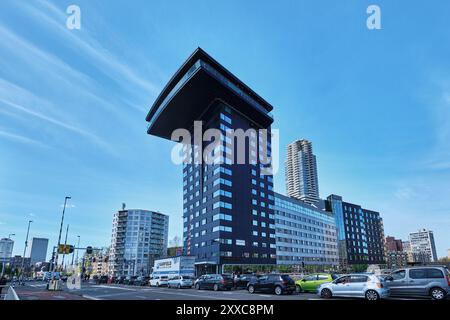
pixel 199 82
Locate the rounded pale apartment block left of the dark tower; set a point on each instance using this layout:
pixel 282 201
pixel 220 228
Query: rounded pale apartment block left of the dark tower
pixel 138 238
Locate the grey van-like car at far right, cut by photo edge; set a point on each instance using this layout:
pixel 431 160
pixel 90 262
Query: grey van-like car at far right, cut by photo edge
pixel 432 281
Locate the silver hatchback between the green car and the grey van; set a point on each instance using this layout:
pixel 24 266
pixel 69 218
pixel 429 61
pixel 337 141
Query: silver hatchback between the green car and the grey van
pixel 366 286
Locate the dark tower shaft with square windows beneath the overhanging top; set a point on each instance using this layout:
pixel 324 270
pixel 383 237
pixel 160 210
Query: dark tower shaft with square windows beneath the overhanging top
pixel 228 207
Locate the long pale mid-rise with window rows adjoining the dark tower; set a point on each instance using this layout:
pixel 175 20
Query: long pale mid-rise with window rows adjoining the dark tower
pixel 305 235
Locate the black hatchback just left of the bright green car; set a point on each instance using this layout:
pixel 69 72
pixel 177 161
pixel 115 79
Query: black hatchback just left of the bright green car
pixel 273 283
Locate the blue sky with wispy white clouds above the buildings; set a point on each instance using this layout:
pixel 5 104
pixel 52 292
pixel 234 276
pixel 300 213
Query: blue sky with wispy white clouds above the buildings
pixel 375 104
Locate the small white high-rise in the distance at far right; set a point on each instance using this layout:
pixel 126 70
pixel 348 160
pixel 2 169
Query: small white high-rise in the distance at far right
pixel 422 246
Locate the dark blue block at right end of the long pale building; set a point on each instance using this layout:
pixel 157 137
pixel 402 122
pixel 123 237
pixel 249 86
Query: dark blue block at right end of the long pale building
pixel 360 233
